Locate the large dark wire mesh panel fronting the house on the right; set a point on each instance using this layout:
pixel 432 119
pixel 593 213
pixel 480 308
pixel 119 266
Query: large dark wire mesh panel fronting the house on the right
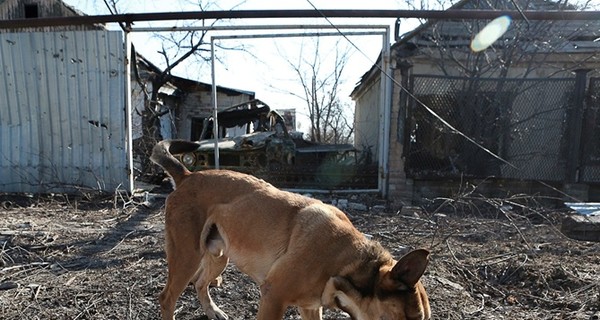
pixel 507 128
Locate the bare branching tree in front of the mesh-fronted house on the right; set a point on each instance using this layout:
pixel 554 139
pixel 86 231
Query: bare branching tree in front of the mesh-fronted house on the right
pixel 480 103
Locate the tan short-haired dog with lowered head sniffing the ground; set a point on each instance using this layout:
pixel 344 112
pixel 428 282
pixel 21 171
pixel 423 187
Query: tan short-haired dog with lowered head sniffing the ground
pixel 300 251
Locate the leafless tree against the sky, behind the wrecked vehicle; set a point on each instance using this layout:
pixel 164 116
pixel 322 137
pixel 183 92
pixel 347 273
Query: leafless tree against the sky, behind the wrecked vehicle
pixel 320 79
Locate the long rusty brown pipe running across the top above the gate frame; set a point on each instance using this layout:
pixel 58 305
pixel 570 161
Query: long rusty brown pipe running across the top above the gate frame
pixel 329 13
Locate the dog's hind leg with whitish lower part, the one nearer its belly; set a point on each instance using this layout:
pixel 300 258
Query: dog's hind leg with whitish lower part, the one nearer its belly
pixel 210 268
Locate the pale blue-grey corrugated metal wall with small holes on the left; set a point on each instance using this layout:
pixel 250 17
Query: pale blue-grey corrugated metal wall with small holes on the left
pixel 62 117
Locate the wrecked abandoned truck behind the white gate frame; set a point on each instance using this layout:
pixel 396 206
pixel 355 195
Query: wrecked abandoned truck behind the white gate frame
pixel 257 141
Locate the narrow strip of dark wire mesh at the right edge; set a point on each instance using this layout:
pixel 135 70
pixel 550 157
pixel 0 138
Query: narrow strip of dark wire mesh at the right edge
pixel 590 169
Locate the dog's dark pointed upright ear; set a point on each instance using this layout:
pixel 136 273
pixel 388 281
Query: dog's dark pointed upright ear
pixel 407 271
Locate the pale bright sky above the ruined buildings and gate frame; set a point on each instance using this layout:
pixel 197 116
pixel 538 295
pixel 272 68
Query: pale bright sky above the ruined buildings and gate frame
pixel 264 65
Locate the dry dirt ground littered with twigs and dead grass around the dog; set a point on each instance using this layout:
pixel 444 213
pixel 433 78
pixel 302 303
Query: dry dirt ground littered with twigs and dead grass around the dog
pixel 102 258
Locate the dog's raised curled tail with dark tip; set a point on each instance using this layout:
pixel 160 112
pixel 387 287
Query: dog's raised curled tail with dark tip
pixel 162 155
